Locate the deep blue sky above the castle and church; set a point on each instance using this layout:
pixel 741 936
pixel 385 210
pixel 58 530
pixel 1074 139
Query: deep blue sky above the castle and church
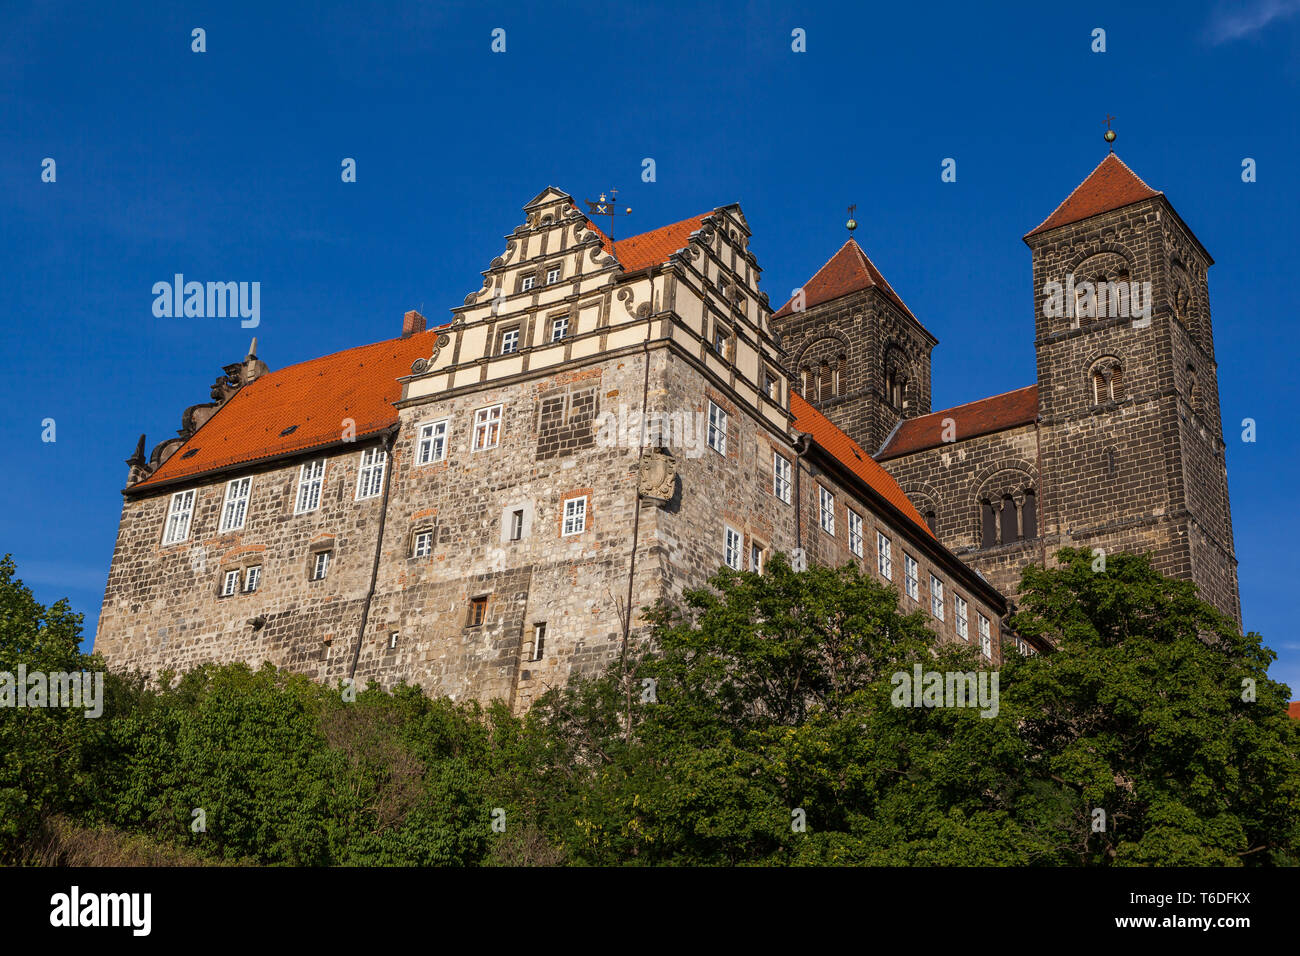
pixel 226 166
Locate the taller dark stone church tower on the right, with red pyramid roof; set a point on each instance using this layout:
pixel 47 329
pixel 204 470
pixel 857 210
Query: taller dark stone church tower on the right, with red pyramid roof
pixel 1133 455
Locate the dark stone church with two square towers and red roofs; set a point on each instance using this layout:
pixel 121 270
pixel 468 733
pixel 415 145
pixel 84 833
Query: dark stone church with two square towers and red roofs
pixel 1117 448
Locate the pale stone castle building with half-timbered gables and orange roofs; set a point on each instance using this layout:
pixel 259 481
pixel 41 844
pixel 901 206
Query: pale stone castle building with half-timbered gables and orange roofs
pixel 486 508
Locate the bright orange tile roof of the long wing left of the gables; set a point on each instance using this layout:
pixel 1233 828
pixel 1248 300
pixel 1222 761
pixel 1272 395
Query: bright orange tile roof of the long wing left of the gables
pixel 315 397
